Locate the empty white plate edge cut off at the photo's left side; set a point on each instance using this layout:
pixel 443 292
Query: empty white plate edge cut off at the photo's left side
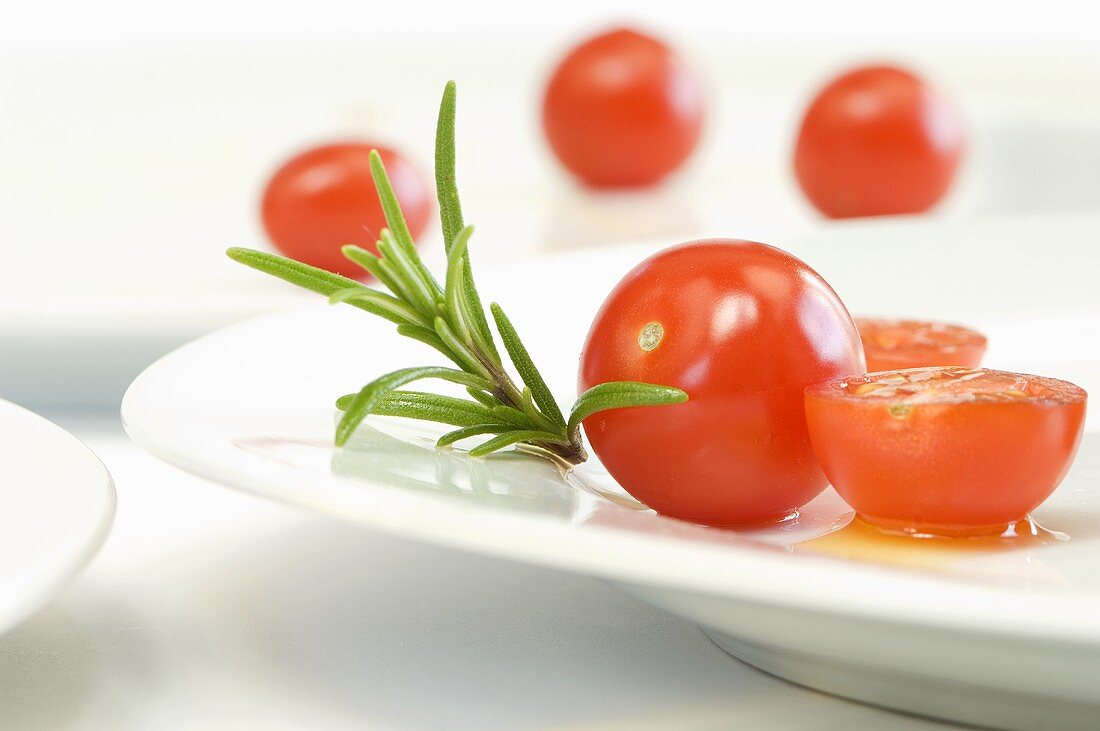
pixel 57 505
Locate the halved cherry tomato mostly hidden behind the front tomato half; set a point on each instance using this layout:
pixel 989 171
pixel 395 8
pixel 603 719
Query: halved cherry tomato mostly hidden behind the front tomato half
pixel 895 345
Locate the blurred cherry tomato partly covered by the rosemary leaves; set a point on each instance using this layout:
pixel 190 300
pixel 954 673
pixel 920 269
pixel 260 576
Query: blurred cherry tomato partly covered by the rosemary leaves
pixel 325 198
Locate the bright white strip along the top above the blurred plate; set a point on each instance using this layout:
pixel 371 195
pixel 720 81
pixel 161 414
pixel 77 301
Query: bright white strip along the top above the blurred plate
pixel 866 24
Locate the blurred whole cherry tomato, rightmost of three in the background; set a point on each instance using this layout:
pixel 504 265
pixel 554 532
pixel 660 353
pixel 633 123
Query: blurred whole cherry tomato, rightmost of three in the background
pixel 878 141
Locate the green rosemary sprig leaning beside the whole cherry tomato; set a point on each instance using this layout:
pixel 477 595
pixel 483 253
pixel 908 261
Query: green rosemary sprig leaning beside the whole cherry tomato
pixel 449 317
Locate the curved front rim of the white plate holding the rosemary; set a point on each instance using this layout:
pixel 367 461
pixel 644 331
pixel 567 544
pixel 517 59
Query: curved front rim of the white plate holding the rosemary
pixel 606 551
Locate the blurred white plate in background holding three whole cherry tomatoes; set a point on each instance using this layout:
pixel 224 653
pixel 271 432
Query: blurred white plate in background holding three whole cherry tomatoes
pixel 113 227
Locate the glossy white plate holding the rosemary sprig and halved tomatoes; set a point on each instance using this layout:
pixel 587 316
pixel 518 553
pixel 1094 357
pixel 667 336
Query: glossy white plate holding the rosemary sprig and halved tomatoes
pixel 1007 638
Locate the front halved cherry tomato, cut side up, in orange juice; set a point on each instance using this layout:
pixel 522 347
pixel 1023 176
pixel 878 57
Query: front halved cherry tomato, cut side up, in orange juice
pixel 945 451
